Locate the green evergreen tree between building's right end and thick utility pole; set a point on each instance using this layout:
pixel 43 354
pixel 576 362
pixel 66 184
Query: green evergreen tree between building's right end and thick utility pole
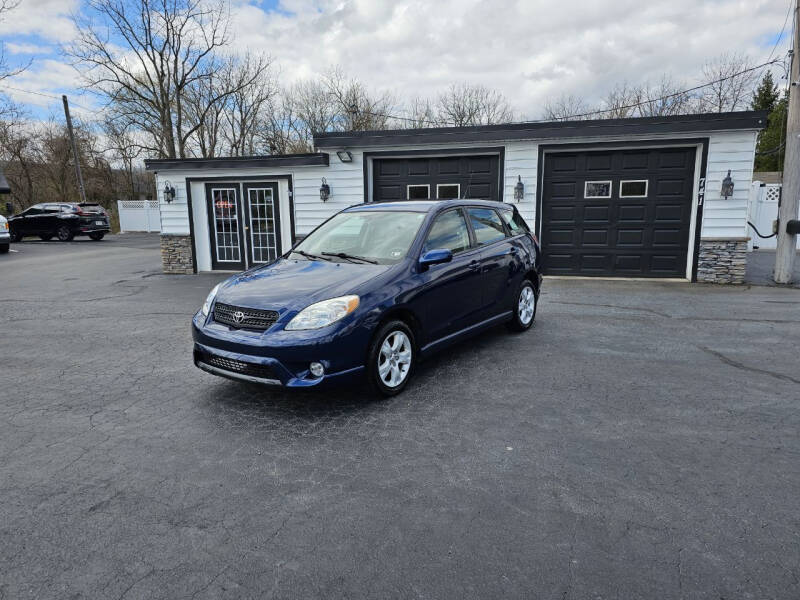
pixel 769 151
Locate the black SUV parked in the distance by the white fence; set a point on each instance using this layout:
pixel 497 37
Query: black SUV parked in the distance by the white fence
pixel 62 220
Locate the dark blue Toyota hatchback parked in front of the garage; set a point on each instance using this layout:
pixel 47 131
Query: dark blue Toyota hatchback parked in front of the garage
pixel 371 291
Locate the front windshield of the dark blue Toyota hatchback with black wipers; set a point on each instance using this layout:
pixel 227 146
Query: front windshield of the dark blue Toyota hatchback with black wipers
pixel 380 236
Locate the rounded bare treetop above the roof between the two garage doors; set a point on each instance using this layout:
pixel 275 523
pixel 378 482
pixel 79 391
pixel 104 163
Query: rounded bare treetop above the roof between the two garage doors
pixel 464 104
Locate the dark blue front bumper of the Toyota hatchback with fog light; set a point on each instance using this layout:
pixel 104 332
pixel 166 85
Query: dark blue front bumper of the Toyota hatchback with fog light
pixel 280 359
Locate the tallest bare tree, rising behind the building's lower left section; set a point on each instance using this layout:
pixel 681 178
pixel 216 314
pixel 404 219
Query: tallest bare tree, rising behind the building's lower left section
pixel 160 49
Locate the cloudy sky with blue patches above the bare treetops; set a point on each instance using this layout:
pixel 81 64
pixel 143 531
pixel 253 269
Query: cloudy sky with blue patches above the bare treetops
pixel 530 50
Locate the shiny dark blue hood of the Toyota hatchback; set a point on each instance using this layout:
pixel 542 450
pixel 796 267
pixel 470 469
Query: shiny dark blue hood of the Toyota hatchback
pixel 288 285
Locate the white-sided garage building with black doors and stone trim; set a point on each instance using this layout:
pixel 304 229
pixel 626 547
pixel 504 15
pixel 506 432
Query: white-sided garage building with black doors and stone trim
pixel 613 198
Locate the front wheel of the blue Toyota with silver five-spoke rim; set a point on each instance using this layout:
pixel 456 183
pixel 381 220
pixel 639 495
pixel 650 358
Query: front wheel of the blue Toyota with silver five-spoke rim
pixel 391 358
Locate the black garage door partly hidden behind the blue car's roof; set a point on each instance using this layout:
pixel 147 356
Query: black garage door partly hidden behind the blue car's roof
pixel 435 177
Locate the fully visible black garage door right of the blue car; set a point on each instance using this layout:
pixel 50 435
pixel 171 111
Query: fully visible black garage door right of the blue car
pixel 619 213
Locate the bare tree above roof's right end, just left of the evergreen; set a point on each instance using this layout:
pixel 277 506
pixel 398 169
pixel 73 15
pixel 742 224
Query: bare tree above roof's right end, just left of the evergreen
pixel 729 87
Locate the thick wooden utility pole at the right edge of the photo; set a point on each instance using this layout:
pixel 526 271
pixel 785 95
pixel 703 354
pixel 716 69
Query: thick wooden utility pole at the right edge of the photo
pixel 790 193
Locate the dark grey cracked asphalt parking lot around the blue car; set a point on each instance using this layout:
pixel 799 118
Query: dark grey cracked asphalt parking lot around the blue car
pixel 641 441
